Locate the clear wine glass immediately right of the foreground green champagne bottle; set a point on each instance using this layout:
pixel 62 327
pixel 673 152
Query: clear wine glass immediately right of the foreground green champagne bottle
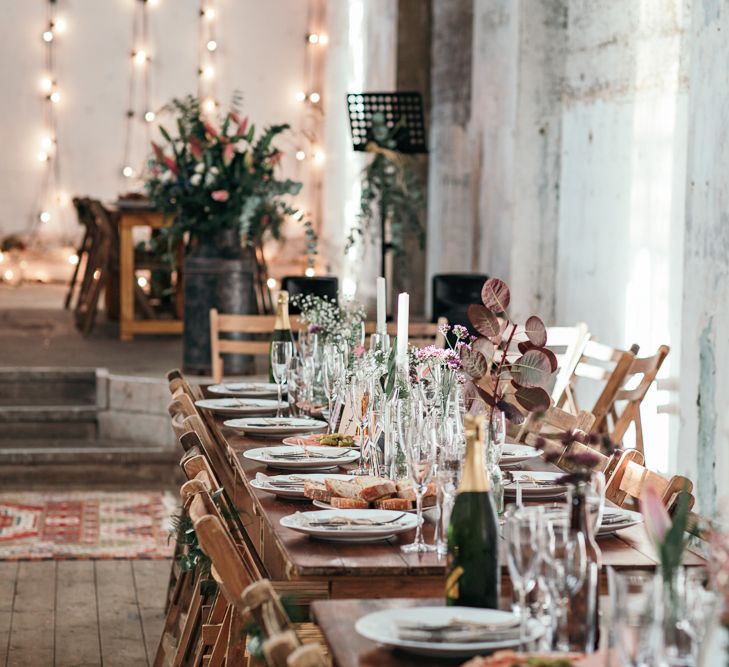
pixel 523 535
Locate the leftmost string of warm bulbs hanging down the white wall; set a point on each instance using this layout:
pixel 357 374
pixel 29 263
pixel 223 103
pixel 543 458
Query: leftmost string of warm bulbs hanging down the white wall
pixel 49 203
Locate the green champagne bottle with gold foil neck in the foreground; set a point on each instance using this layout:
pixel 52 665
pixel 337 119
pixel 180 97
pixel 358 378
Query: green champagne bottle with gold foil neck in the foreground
pixel 473 576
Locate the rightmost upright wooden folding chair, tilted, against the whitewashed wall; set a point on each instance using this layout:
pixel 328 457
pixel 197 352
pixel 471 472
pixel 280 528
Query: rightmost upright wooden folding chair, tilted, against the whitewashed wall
pixel 646 369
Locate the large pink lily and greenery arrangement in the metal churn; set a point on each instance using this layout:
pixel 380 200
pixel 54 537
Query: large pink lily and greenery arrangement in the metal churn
pixel 216 173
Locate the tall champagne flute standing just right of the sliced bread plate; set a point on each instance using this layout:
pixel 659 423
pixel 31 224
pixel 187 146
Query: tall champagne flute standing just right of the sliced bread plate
pixel 420 457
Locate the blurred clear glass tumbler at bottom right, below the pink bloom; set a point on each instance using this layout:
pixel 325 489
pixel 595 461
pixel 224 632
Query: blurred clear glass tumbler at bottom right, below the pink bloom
pixel 635 602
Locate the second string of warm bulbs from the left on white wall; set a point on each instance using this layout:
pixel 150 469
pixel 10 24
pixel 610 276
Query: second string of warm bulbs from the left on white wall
pixel 139 114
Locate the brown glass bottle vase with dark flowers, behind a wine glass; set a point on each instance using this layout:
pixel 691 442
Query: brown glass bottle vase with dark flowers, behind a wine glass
pixel 583 611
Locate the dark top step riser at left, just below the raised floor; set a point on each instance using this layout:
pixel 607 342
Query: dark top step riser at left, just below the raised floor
pixel 47 386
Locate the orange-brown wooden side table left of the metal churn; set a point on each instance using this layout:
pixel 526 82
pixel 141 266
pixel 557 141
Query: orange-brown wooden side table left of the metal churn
pixel 128 326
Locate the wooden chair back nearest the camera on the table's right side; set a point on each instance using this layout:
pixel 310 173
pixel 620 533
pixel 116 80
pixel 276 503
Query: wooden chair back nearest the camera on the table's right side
pixel 630 479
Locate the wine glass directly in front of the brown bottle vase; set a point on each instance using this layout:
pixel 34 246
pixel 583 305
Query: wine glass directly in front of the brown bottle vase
pixel 565 561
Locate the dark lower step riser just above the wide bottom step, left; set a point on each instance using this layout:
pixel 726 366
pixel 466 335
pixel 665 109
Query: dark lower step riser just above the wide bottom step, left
pixel 47 422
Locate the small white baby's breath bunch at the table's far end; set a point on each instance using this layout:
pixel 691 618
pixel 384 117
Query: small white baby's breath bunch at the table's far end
pixel 335 323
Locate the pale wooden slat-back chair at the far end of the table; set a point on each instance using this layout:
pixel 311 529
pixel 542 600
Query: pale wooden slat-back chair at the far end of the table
pixel 249 325
